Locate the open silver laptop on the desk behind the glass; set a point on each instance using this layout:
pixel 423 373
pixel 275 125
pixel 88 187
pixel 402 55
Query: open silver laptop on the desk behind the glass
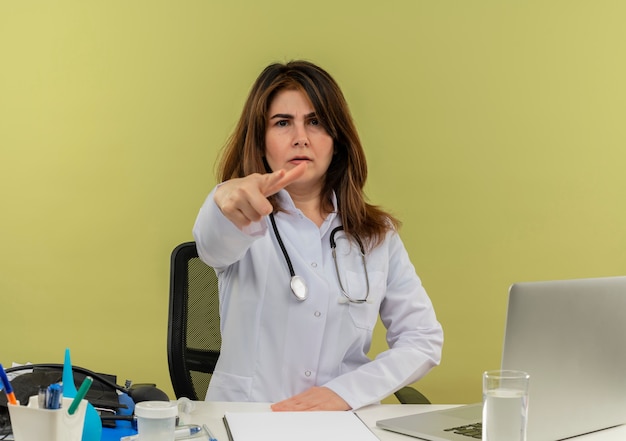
pixel 570 336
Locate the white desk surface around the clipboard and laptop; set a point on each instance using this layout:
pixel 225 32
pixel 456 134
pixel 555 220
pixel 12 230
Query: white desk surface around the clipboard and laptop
pixel 211 413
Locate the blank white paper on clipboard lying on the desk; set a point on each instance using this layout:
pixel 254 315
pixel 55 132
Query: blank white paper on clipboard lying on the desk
pixel 301 426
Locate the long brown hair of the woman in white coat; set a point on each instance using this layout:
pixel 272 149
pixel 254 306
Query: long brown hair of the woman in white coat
pixel 244 152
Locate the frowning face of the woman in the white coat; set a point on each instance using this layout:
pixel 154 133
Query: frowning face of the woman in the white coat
pixel 294 135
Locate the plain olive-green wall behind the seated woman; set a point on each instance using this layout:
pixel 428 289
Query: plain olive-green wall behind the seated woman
pixel 494 129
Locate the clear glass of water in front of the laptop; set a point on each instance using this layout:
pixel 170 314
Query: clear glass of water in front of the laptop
pixel 505 405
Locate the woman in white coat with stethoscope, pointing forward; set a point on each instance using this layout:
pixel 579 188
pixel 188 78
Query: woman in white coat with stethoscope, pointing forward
pixel 305 264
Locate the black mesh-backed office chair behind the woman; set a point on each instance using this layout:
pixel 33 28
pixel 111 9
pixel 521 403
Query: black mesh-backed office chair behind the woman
pixel 193 338
